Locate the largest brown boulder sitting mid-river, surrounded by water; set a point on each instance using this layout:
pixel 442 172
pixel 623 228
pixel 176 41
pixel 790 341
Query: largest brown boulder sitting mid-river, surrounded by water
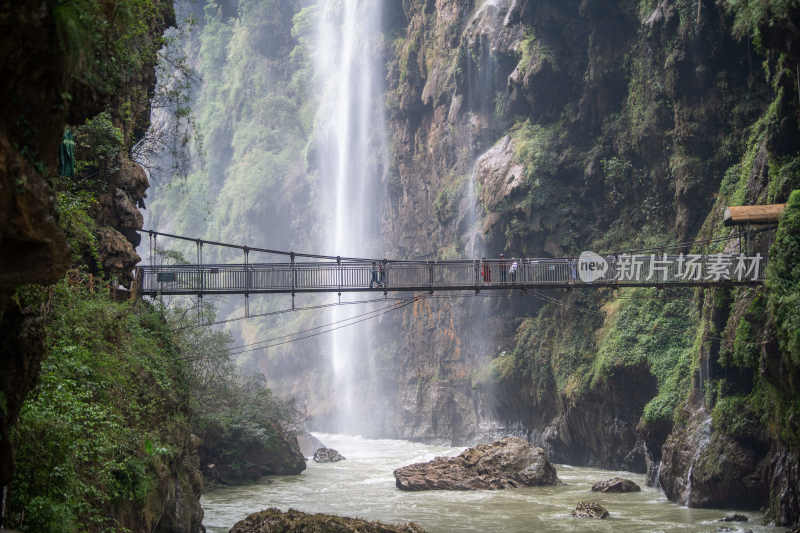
pixel 510 462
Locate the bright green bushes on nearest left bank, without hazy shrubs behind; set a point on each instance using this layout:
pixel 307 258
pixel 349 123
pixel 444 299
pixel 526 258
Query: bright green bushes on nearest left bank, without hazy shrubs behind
pixel 108 417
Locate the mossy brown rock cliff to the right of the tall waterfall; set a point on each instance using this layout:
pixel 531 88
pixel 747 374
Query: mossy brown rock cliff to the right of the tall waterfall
pixel 606 127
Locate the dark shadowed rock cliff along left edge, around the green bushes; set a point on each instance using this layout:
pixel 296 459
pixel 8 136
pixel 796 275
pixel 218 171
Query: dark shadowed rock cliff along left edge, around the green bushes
pixel 89 67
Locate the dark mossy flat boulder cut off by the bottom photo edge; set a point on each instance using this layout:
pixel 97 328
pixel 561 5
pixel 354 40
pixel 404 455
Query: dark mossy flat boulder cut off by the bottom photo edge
pixel 291 521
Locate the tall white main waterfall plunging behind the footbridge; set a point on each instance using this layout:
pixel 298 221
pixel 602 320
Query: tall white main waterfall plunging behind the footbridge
pixel 351 158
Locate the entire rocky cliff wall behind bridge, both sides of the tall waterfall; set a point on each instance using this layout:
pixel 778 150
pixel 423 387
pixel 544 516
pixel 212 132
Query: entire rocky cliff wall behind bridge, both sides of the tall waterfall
pixel 537 128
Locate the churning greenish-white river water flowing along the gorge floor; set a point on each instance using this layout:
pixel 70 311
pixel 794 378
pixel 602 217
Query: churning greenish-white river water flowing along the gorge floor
pixel 363 486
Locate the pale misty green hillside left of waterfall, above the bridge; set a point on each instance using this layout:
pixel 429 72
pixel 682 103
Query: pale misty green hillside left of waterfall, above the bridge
pixel 256 112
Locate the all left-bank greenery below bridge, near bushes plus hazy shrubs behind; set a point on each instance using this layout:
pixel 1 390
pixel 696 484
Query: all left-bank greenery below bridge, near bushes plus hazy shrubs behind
pixel 121 390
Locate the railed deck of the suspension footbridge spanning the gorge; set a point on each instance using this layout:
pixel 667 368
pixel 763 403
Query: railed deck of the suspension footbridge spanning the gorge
pixel 348 276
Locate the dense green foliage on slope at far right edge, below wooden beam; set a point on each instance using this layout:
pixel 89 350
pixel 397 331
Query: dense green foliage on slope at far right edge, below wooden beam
pixel 763 403
